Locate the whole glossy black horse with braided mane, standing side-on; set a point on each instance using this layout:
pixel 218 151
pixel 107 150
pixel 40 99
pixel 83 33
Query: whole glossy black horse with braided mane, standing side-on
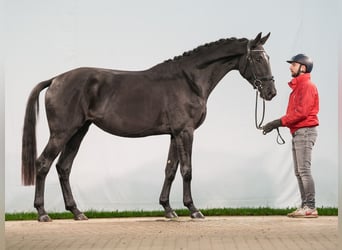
pixel 169 98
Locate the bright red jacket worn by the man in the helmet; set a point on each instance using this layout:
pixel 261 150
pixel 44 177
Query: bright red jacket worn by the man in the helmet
pixel 303 104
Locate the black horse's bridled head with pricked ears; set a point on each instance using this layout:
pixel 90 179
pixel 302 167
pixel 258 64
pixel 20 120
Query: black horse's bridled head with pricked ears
pixel 255 67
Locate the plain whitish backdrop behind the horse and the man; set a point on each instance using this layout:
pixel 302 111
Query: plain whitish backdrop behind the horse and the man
pixel 234 165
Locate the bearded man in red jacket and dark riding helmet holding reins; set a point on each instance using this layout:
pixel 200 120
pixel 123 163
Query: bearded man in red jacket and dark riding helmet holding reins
pixel 301 118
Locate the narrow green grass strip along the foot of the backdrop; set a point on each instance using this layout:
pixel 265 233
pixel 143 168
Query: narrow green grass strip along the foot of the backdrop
pixel 261 211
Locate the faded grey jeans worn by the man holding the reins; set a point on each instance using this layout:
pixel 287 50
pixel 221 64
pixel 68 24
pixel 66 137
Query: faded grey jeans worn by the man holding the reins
pixel 302 143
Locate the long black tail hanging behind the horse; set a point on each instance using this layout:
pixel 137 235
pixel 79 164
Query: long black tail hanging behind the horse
pixel 29 146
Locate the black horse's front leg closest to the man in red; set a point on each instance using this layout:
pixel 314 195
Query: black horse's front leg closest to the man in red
pixel 184 148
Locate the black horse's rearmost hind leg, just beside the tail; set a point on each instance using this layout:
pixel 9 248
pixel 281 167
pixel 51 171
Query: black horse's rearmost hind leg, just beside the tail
pixel 43 165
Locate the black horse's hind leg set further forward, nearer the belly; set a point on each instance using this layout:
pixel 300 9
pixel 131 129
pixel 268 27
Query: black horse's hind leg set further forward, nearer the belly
pixel 64 165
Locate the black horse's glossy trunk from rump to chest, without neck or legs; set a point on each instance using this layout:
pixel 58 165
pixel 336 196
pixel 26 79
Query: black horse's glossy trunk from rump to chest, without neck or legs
pixel 124 103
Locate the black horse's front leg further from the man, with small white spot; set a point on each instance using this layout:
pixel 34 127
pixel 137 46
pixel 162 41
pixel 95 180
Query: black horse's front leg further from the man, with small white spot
pixel 170 173
